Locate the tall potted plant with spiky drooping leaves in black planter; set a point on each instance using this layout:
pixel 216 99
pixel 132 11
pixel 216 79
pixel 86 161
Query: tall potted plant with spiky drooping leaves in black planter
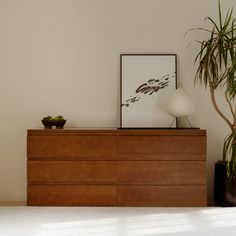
pixel 216 67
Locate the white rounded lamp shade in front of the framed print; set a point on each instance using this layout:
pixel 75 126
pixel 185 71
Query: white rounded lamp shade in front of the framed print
pixel 180 104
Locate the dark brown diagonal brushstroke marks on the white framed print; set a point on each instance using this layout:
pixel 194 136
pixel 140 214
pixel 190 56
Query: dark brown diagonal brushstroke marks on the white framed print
pixel 152 86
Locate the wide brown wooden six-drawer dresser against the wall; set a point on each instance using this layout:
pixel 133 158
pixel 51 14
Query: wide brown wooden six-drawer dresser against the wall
pixel 136 167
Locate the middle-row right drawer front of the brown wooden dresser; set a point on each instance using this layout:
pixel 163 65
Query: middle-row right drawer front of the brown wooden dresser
pixel 161 172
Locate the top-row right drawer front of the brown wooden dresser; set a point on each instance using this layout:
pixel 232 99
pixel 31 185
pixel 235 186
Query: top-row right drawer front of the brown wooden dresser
pixel 162 147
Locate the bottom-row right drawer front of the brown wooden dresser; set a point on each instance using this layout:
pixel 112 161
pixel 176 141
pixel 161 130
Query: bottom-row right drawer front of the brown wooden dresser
pixel 162 196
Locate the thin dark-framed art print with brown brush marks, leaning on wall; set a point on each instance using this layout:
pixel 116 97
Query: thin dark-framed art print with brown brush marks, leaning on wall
pixel 147 83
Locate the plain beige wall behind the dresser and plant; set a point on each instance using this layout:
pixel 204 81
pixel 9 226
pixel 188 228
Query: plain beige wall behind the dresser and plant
pixel 62 57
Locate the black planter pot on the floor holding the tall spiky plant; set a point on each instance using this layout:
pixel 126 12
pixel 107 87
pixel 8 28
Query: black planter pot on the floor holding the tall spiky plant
pixel 224 188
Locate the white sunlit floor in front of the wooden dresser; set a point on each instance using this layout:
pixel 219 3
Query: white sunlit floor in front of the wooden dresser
pixel 76 221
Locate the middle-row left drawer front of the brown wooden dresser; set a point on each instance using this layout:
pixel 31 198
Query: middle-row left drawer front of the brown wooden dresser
pixel 71 171
